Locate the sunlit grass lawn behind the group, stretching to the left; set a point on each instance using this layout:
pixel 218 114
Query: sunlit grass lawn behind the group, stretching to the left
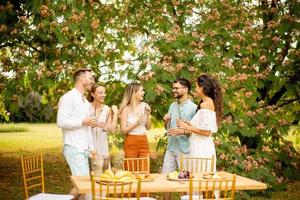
pixel 47 138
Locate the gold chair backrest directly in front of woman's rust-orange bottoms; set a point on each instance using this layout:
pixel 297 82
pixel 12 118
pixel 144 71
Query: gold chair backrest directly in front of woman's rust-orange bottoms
pixel 140 165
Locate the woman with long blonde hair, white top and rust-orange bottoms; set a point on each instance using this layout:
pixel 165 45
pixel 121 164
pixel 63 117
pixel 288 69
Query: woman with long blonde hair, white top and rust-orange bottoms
pixel 135 121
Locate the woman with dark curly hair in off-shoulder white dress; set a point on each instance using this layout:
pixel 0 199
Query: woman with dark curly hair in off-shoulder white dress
pixel 206 120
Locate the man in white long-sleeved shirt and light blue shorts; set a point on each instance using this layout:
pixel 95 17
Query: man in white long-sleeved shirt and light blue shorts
pixel 73 117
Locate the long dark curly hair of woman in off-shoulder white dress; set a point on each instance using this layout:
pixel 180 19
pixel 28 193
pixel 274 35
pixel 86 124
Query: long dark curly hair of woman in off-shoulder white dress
pixel 212 89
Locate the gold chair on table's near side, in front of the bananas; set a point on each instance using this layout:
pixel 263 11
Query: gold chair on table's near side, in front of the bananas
pixel 104 189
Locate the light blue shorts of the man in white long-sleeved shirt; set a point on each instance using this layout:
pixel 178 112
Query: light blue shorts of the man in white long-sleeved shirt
pixel 77 160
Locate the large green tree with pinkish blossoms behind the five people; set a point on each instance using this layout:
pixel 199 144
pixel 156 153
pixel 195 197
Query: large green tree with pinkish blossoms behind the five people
pixel 250 46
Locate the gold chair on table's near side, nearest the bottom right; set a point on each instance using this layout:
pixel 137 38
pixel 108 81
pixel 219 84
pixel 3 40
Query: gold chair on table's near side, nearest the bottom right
pixel 222 188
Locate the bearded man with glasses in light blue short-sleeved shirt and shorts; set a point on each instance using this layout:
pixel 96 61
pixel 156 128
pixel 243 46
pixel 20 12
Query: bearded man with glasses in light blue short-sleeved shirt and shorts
pixel 183 108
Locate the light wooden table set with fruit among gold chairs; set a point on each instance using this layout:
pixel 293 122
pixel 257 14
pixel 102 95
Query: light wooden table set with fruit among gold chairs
pixel 161 184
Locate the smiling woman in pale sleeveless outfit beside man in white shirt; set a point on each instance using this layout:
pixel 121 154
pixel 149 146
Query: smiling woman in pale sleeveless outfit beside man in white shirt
pixel 107 119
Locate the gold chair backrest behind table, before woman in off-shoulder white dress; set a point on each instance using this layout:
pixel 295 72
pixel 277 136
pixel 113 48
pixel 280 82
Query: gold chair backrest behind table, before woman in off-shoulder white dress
pixel 194 164
